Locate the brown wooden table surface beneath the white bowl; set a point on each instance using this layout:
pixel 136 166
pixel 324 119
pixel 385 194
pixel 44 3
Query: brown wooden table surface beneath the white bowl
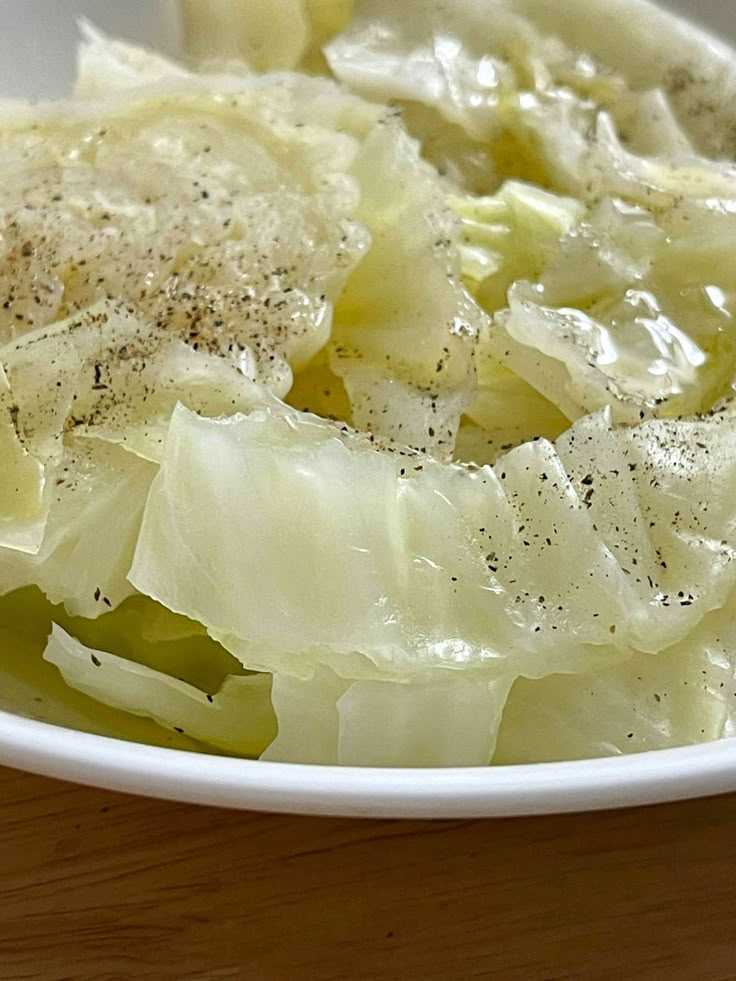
pixel 100 886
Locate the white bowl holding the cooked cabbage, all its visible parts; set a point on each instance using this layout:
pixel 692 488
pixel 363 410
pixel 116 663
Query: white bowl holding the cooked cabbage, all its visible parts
pixel 37 42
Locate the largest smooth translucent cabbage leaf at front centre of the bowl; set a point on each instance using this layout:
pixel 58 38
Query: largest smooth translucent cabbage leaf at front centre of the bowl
pixel 376 564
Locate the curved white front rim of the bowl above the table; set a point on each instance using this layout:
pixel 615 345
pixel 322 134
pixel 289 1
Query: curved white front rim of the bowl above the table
pixel 464 792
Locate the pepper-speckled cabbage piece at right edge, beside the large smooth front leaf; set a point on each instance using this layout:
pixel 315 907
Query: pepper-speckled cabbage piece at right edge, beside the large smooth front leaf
pixel 660 496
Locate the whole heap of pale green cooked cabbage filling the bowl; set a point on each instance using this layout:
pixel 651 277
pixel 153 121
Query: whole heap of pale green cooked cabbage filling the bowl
pixel 501 234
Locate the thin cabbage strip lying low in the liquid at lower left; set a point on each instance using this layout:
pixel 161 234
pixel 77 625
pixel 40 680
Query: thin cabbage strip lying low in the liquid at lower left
pixel 237 719
